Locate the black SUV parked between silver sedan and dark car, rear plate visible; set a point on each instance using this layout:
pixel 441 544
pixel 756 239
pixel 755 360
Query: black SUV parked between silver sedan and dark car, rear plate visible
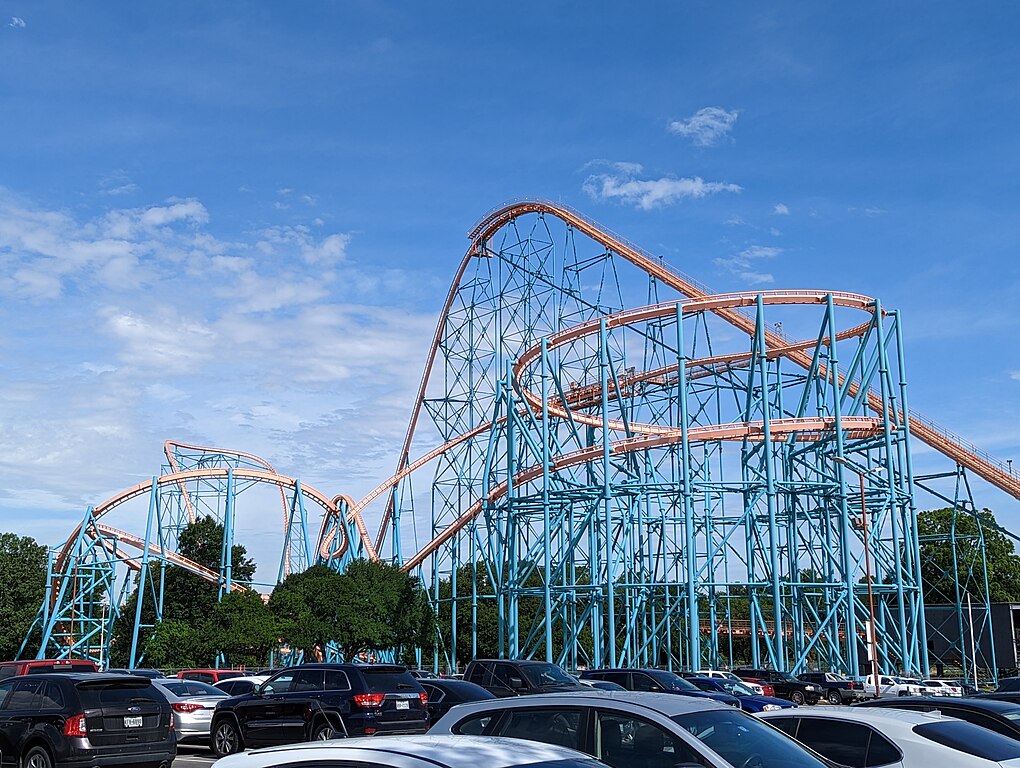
pixel 322 701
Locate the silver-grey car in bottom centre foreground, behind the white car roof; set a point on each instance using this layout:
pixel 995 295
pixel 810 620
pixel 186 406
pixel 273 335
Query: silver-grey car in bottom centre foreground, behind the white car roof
pixel 631 730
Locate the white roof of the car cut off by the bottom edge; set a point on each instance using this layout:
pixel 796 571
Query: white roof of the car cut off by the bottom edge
pixel 453 751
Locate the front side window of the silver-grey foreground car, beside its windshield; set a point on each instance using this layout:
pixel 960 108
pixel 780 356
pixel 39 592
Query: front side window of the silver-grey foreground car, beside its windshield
pixel 624 741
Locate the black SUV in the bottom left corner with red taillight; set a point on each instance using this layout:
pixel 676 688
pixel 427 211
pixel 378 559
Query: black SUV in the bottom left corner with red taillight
pixel 82 720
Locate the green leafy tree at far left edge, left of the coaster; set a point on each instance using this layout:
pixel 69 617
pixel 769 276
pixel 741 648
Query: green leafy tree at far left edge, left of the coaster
pixel 23 587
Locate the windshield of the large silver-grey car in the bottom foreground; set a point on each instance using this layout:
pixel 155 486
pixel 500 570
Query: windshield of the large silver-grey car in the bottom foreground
pixel 745 741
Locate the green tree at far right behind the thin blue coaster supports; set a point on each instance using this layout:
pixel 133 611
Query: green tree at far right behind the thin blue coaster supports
pixel 938 573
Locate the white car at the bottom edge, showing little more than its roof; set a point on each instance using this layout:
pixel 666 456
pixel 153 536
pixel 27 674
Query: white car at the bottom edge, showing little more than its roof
pixel 418 752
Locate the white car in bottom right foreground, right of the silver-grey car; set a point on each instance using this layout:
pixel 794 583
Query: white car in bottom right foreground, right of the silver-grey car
pixel 896 739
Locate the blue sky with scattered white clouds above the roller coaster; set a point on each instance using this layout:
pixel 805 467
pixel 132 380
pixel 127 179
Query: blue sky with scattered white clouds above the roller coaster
pixel 234 224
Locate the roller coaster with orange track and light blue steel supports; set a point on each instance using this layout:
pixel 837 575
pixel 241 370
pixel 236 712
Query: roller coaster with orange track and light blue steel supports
pixel 625 467
